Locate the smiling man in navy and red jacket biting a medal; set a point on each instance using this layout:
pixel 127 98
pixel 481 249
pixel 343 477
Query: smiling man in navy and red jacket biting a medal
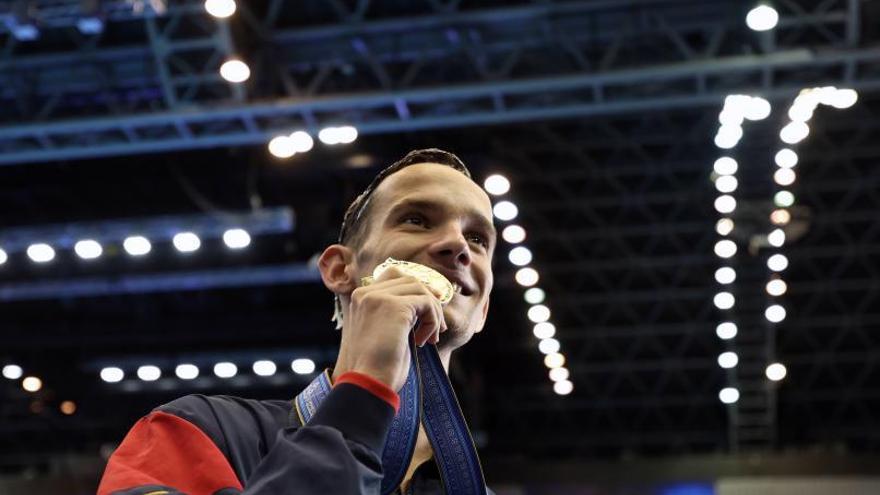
pixel 424 209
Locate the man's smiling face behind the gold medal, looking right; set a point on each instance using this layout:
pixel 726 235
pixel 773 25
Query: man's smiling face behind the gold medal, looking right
pixel 434 215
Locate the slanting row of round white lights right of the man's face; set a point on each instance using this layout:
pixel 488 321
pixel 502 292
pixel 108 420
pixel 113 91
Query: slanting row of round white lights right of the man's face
pixel 526 276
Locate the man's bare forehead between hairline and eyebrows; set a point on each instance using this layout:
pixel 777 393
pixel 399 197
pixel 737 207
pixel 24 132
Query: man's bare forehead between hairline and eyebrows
pixel 436 181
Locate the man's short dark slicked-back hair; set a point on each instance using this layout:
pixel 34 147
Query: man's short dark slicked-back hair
pixel 357 216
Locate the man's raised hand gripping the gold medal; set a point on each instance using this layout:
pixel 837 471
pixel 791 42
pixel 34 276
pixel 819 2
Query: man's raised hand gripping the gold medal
pixel 377 325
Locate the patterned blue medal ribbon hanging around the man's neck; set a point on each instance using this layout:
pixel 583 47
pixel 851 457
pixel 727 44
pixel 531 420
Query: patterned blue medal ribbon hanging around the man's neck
pixel 426 396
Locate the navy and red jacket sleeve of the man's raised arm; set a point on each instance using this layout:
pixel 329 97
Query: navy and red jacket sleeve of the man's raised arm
pixel 338 451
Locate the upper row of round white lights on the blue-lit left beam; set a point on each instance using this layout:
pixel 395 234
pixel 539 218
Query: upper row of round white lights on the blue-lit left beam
pixel 135 245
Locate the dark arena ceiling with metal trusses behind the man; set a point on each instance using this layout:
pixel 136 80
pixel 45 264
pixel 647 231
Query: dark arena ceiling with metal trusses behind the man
pixel 601 113
